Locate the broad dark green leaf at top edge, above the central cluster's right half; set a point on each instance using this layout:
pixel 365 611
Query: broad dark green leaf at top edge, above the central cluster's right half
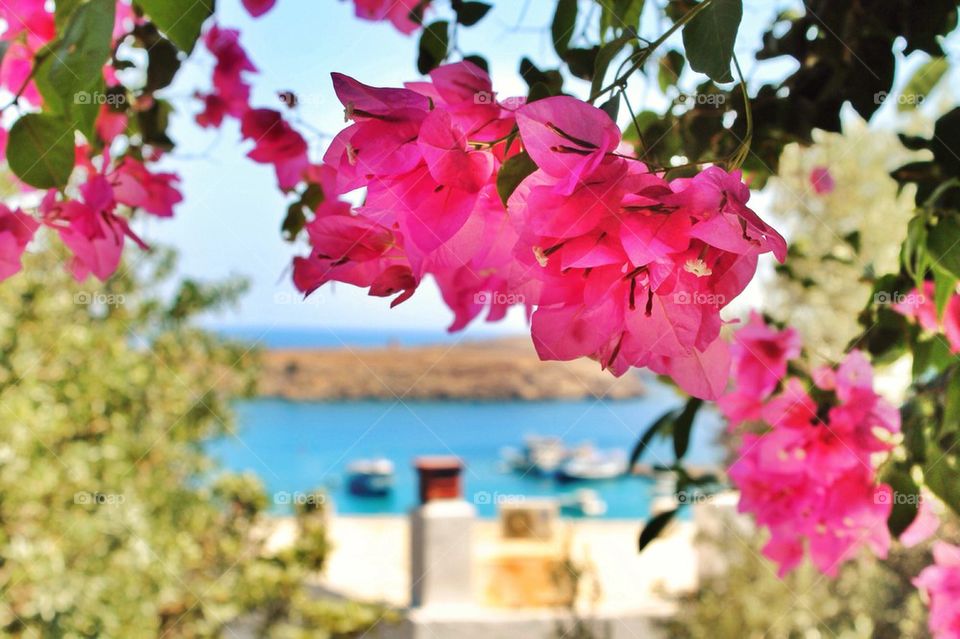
pixel 709 38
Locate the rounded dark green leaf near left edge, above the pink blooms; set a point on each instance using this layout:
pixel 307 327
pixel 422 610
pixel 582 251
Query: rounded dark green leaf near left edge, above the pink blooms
pixel 40 150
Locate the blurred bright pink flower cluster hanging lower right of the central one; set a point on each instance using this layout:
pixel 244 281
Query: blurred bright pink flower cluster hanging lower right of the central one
pixel 809 475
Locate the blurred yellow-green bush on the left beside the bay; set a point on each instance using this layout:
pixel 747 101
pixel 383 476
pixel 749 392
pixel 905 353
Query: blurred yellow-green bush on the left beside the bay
pixel 112 521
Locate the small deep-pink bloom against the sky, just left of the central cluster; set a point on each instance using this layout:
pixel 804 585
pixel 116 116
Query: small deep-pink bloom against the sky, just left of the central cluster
pixel 276 143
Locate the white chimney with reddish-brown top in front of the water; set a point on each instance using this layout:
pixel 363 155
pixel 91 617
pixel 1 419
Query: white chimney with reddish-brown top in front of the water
pixel 441 535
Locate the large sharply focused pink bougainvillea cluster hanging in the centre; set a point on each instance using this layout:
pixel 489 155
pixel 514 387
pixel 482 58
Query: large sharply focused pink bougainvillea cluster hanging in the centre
pixel 615 262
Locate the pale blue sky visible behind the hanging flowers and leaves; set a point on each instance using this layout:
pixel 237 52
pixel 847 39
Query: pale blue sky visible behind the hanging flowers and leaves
pixel 229 221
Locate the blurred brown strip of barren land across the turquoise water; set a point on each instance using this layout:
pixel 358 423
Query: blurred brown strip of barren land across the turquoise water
pixel 488 370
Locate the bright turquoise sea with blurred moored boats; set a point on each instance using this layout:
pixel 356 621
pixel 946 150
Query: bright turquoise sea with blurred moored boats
pixel 298 446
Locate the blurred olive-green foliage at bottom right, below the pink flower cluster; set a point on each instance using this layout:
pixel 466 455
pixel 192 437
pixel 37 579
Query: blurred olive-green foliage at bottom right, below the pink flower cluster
pixel 870 599
